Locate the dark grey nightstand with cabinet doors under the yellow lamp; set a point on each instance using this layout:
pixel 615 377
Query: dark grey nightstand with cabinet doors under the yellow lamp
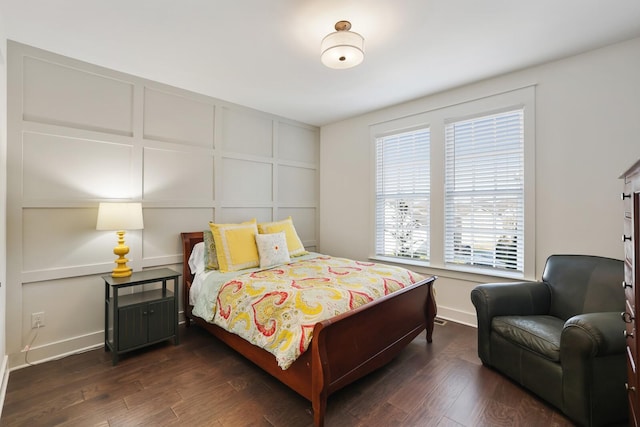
pixel 136 320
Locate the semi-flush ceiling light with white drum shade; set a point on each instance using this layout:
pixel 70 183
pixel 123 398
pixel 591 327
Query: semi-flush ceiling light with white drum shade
pixel 342 49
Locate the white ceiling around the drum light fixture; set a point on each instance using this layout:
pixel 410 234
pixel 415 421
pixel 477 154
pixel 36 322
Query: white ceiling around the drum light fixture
pixel 265 54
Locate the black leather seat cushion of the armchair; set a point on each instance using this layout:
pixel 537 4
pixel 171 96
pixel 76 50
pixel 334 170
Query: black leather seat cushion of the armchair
pixel 539 334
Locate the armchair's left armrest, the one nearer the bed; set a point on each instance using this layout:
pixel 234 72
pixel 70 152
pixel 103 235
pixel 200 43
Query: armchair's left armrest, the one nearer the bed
pixel 502 299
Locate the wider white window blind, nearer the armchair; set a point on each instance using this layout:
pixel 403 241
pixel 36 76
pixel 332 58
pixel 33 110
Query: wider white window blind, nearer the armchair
pixel 484 192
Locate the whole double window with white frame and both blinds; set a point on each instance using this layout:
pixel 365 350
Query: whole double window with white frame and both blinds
pixel 454 187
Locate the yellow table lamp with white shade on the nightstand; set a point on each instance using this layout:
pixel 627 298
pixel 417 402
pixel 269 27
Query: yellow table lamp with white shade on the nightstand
pixel 120 217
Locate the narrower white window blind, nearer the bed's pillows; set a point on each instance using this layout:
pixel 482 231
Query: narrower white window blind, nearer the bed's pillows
pixel 403 195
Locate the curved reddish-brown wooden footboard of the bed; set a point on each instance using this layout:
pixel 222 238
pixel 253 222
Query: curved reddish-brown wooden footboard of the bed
pixel 351 345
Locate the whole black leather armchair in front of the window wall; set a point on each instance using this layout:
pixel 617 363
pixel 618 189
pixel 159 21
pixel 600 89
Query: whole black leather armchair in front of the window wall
pixel 562 337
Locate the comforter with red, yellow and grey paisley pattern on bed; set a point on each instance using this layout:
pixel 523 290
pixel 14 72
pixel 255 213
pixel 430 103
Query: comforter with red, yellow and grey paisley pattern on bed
pixel 276 309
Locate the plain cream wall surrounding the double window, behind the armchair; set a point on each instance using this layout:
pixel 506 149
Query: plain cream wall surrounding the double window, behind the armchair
pixel 587 133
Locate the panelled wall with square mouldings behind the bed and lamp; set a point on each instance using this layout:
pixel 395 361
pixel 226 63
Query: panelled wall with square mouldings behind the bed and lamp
pixel 80 134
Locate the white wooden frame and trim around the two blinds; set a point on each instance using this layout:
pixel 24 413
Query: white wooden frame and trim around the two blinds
pixel 436 119
